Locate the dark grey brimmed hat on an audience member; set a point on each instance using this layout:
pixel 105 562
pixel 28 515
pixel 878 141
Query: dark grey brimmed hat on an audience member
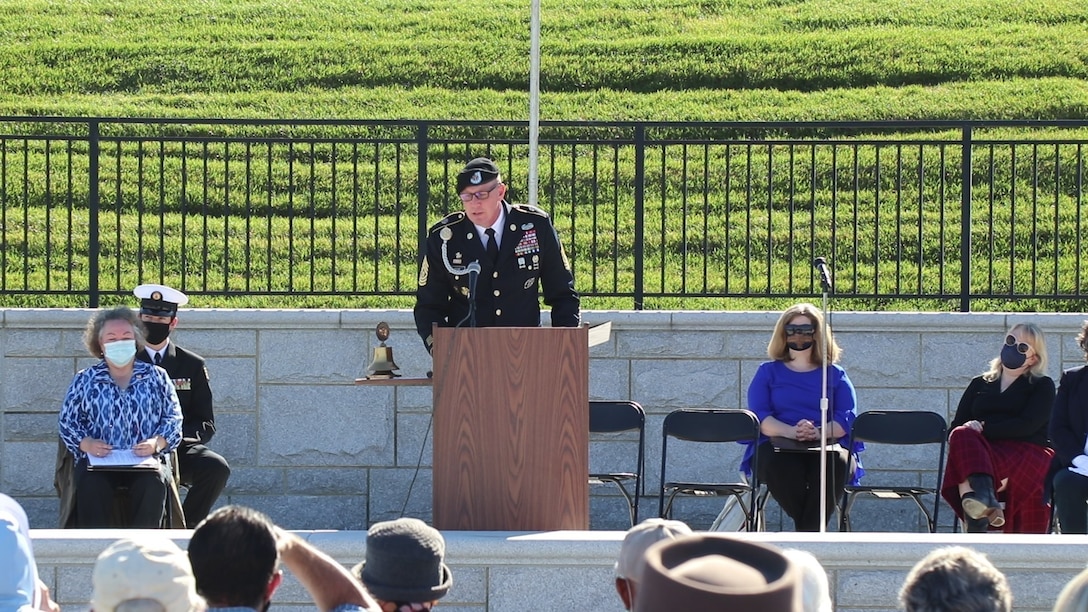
pixel 405 562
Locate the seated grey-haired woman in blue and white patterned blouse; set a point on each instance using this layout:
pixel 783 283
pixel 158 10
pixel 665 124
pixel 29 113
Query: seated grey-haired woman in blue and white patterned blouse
pixel 119 403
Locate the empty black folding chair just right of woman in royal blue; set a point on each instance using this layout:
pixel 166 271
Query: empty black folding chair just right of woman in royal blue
pixel 901 429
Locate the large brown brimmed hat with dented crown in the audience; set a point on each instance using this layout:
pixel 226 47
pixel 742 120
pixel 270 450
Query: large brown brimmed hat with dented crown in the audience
pixel 713 572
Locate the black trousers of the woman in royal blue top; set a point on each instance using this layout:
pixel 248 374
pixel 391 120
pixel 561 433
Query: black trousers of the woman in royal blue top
pixel 793 478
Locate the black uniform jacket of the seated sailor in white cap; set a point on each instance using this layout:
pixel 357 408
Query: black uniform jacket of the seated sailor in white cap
pixel 191 380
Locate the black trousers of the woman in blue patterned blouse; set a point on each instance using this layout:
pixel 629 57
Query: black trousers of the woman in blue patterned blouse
pixel 96 494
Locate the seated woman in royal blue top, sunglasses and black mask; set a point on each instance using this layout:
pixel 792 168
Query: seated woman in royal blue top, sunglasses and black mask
pixel 785 395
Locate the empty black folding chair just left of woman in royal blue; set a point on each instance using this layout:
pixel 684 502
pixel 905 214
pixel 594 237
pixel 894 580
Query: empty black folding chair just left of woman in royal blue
pixel 712 427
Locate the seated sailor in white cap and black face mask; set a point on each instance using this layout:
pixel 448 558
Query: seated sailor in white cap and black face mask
pixel 204 471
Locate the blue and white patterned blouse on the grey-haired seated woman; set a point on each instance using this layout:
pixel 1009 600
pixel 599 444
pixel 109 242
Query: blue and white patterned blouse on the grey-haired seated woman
pixel 96 407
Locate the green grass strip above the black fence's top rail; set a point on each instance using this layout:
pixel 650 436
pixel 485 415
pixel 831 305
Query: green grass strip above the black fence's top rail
pixel 616 59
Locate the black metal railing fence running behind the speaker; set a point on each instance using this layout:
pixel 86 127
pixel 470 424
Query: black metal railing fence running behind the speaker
pixel 656 215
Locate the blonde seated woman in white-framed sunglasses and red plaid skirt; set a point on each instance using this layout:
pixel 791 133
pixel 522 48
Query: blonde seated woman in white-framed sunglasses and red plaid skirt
pixel 999 440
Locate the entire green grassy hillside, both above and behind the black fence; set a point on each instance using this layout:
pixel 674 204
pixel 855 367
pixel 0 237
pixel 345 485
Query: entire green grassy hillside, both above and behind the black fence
pixel 678 60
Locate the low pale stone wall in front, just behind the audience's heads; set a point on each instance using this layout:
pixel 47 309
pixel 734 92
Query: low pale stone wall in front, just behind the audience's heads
pixel 548 572
